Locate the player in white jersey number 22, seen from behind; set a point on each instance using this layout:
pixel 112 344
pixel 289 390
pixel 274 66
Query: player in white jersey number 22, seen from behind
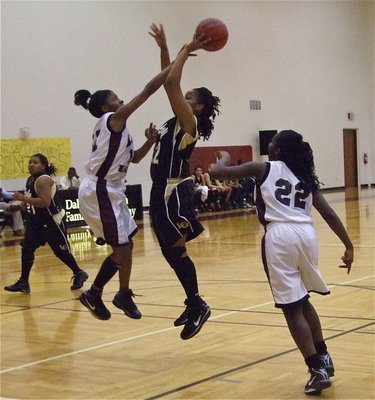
pixel 287 188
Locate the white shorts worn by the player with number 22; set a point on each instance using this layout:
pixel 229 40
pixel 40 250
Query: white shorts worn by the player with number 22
pixel 291 257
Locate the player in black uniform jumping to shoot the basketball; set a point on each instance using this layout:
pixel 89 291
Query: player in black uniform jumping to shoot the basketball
pixel 171 201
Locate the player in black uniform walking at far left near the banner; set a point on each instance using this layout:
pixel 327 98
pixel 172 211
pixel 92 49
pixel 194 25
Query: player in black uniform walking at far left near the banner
pixel 44 224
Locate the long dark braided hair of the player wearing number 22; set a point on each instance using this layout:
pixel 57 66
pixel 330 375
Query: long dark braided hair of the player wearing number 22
pixel 298 156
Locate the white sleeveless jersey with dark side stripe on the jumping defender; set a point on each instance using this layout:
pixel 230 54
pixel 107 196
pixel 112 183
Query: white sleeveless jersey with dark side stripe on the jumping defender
pixel 111 152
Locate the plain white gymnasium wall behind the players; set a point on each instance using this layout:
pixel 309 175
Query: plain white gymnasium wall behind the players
pixel 310 63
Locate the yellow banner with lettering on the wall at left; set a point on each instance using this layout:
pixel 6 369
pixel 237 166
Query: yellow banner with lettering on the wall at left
pixel 15 155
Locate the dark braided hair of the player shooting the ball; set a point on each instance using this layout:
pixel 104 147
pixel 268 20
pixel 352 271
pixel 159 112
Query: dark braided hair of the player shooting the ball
pixel 209 112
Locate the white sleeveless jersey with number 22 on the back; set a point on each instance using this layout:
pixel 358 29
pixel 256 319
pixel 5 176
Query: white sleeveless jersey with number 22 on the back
pixel 281 197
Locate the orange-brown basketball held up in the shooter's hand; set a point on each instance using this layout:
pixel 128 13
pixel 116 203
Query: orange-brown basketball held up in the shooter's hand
pixel 214 29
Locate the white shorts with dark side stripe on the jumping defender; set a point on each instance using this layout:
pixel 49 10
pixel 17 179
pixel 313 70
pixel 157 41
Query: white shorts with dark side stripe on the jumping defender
pixel 103 206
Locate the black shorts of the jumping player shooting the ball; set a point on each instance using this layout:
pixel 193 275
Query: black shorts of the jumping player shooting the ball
pixel 172 212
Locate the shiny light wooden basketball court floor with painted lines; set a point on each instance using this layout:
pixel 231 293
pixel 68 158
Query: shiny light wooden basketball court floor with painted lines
pixel 52 348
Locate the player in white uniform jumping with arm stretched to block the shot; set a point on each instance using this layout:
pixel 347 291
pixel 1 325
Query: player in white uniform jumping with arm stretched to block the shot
pixel 102 192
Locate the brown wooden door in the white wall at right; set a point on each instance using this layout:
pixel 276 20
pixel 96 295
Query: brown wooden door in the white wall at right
pixel 350 158
